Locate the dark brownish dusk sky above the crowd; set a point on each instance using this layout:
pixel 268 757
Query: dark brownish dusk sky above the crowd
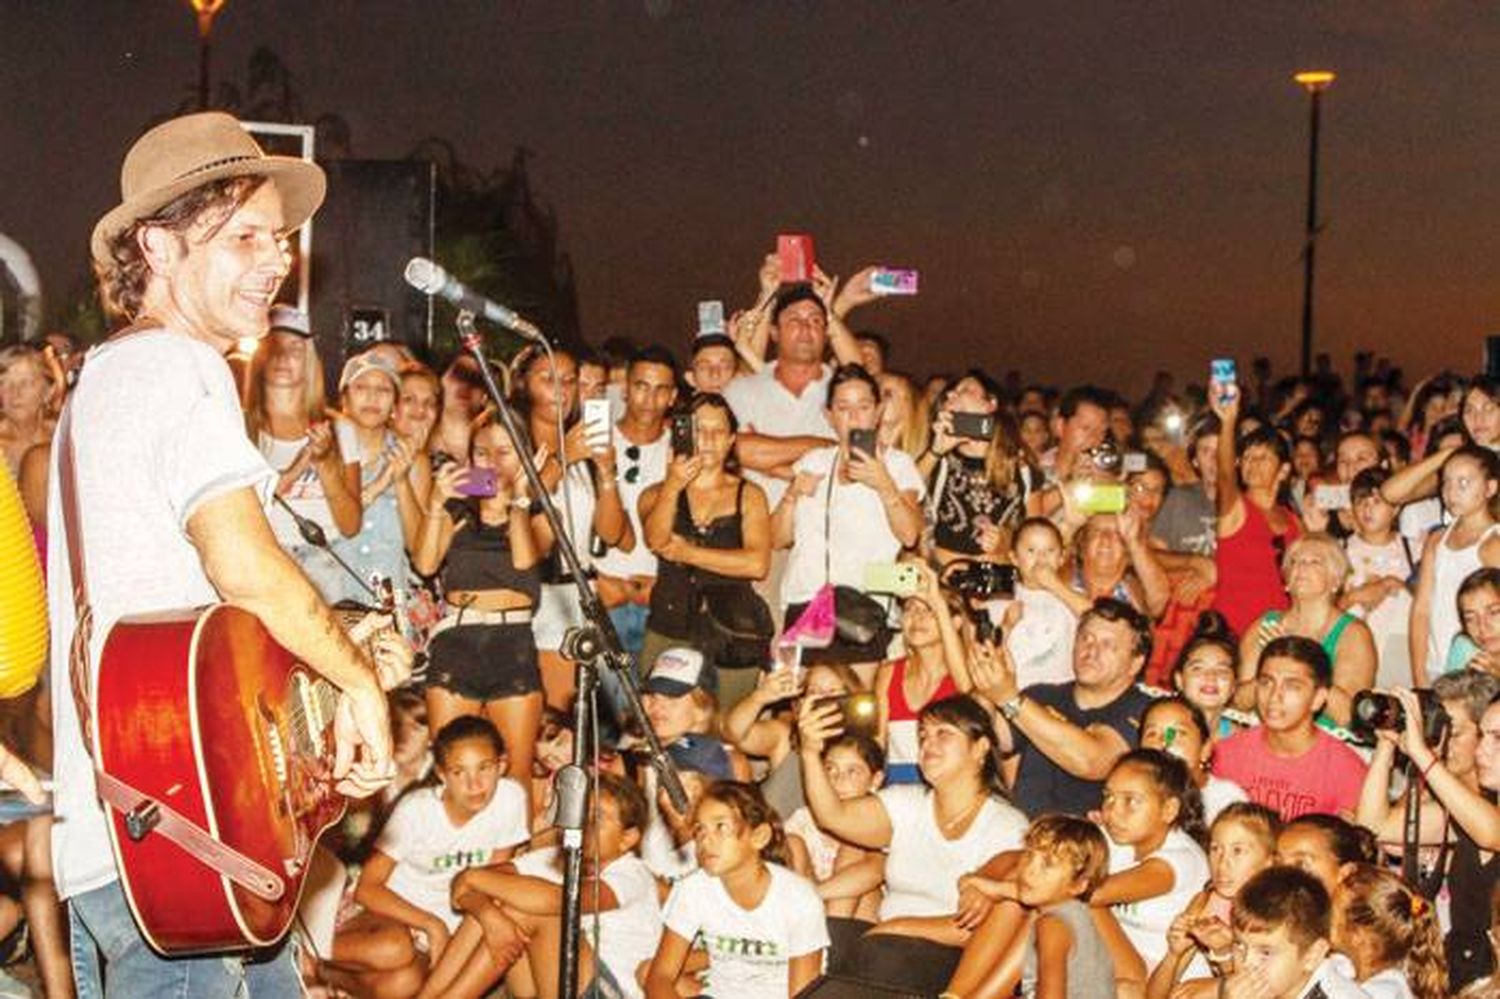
pixel 1090 190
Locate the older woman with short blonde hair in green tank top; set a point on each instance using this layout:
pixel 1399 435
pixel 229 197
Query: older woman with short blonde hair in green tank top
pixel 1315 571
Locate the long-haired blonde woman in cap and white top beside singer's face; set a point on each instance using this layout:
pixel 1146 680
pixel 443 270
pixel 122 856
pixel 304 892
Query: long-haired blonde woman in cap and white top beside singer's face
pixel 319 467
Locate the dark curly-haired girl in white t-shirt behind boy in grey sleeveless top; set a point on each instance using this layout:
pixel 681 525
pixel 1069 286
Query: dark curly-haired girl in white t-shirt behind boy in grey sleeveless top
pixel 1154 818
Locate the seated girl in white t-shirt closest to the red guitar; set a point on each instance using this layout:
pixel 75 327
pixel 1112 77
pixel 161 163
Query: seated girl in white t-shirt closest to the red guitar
pixel 472 818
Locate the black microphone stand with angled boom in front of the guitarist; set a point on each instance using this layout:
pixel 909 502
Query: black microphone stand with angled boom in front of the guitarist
pixel 592 647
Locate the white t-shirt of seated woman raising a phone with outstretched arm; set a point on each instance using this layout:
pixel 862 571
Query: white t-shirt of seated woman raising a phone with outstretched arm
pixel 922 866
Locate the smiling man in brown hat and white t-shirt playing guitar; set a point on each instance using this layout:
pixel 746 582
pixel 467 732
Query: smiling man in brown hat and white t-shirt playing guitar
pixel 170 502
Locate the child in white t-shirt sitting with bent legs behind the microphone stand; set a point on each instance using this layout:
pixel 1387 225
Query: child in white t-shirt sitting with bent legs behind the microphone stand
pixel 512 911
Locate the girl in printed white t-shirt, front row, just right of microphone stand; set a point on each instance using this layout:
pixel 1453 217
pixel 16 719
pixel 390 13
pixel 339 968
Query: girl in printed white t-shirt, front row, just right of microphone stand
pixel 761 925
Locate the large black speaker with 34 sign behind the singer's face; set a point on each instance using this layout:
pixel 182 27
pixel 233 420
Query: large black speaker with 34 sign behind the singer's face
pixel 377 217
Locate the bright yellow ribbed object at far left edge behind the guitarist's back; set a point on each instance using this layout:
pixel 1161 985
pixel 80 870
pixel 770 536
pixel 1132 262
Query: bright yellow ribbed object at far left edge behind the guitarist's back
pixel 23 596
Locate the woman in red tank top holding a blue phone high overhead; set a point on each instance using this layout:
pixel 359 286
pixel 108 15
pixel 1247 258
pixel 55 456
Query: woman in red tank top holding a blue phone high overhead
pixel 1253 527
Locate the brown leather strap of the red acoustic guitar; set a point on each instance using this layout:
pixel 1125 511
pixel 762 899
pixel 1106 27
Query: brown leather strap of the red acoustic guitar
pixel 139 809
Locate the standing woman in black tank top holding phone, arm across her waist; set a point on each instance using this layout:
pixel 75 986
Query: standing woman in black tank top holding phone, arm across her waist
pixel 706 524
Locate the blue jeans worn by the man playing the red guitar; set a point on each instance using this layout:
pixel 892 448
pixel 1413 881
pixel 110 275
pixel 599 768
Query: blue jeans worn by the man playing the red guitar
pixel 104 935
